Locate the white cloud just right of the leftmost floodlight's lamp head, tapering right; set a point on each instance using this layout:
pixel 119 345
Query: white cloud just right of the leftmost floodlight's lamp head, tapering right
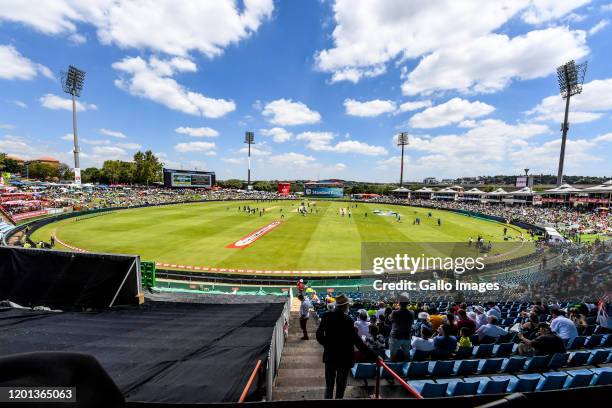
pixel 153 80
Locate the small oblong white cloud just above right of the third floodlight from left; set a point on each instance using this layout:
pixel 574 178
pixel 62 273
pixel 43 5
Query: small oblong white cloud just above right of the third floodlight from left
pixel 452 111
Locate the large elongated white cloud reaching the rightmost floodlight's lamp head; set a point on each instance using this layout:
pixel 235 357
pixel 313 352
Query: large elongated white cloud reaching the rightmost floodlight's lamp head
pixel 489 63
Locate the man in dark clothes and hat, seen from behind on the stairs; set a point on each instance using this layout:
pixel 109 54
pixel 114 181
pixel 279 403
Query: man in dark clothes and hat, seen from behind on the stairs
pixel 338 336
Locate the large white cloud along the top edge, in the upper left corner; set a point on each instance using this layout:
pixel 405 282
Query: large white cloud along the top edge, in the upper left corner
pixel 171 27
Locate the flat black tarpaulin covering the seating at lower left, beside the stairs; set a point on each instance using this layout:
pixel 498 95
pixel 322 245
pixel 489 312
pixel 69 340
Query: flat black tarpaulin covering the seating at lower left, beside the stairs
pixel 159 352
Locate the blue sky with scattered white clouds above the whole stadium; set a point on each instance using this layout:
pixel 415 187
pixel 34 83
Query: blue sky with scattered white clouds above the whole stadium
pixel 324 85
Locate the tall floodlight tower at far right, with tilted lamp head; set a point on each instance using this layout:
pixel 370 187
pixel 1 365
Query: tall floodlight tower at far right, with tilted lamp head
pixel 571 77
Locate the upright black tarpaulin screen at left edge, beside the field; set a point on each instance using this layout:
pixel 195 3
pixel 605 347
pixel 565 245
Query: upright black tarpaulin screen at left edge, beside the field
pixel 67 280
